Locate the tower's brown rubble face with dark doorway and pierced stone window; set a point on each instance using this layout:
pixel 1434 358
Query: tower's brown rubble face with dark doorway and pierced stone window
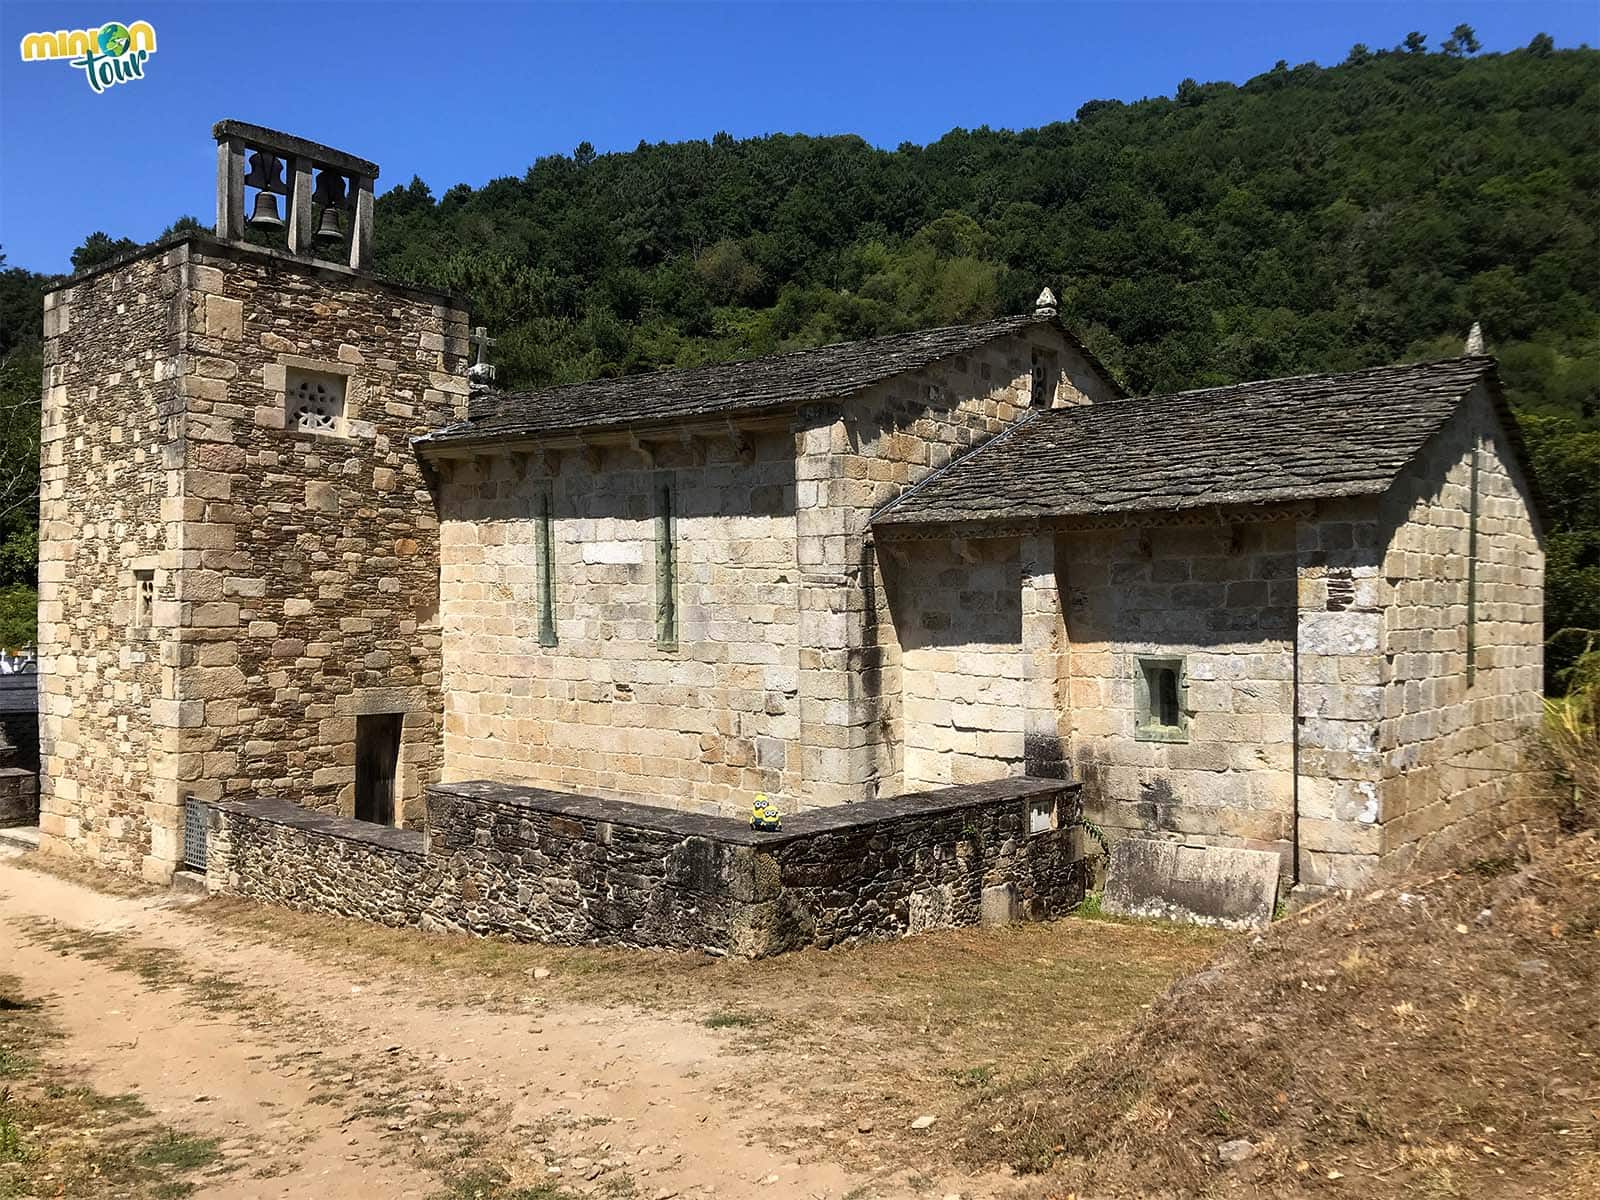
pixel 311 596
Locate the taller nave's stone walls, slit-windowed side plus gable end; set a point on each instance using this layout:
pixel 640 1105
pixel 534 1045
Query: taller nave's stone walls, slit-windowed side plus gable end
pixel 786 673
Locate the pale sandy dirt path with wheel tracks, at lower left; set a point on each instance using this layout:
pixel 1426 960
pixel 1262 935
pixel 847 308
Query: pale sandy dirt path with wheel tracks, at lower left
pixel 327 1082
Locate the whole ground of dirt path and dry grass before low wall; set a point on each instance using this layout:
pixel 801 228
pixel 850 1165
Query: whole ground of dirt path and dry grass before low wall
pixel 223 1050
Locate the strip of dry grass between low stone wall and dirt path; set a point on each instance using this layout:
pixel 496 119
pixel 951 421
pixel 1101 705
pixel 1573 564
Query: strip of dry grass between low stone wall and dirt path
pixel 878 1033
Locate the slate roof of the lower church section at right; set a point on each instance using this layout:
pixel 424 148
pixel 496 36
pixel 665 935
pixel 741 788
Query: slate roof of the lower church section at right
pixel 1306 438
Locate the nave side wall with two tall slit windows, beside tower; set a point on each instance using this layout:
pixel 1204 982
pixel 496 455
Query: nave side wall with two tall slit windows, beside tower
pixel 609 708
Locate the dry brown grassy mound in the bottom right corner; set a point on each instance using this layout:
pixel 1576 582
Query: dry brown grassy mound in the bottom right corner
pixel 1430 1041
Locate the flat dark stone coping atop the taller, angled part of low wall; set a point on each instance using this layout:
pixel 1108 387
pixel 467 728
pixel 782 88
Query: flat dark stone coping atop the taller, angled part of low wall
pixel 734 831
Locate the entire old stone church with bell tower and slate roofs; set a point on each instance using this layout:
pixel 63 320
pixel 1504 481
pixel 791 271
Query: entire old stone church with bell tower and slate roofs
pixel 300 558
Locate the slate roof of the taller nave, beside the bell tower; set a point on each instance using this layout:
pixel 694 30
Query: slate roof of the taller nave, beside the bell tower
pixel 726 390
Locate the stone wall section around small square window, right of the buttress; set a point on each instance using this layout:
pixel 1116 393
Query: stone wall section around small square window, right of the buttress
pixel 1222 599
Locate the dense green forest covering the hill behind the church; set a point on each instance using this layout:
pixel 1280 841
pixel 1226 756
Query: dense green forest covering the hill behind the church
pixel 1313 218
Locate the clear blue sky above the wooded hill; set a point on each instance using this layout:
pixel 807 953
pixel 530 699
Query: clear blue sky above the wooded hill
pixel 470 92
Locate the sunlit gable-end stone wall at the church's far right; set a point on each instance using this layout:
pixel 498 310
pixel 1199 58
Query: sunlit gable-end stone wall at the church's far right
pixel 1454 740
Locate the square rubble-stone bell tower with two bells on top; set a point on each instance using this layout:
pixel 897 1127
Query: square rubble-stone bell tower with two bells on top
pixel 239 553
